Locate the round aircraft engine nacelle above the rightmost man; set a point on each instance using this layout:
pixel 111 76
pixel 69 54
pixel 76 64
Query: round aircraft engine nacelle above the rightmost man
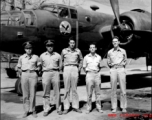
pixel 132 22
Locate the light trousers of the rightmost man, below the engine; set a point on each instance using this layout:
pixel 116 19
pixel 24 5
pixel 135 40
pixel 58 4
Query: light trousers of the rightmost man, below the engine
pixel 118 74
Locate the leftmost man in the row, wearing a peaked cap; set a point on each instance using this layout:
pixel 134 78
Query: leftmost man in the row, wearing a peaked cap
pixel 27 65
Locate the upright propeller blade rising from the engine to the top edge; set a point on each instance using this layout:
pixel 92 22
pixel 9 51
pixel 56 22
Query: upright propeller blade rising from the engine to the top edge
pixel 115 8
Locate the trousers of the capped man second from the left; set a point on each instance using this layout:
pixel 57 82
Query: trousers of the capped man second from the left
pixel 48 78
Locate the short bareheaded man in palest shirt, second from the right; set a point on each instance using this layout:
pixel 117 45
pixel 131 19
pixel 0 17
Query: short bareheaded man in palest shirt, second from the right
pixel 92 66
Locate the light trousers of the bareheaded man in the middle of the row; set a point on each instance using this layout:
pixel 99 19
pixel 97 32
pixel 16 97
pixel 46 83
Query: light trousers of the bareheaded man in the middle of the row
pixel 70 76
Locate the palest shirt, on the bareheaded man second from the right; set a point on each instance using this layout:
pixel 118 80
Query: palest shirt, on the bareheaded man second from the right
pixel 92 63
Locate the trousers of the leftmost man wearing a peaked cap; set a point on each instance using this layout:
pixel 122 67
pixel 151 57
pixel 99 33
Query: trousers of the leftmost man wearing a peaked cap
pixel 29 85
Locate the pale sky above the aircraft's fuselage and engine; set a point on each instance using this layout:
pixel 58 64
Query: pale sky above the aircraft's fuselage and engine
pixel 104 5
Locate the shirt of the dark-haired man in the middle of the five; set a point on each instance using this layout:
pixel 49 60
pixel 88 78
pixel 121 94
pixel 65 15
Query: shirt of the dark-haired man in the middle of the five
pixel 72 57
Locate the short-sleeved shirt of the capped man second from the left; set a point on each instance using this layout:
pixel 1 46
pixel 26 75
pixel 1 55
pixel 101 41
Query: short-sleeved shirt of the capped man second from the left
pixel 50 61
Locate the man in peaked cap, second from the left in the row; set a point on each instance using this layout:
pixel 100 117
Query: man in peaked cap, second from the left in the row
pixel 51 65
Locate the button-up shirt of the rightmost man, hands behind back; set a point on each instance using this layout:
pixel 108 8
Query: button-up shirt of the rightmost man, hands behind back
pixel 117 57
